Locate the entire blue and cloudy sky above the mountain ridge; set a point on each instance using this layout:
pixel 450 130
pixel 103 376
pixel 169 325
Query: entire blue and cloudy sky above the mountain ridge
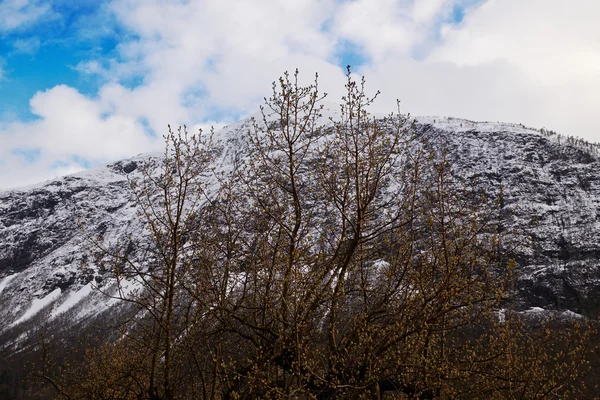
pixel 87 82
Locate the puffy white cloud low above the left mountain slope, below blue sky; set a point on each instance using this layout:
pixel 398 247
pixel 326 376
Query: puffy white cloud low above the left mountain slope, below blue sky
pixel 72 132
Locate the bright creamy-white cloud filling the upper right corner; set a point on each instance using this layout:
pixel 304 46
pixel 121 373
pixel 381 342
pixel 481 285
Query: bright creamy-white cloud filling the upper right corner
pixel 552 41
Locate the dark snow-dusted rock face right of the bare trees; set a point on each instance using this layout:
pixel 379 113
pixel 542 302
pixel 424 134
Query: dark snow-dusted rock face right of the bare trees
pixel 552 192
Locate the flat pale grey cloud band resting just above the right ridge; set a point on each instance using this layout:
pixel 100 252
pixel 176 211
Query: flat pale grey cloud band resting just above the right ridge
pixel 495 90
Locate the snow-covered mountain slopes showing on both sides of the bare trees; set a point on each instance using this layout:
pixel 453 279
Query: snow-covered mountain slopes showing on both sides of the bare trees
pixel 550 184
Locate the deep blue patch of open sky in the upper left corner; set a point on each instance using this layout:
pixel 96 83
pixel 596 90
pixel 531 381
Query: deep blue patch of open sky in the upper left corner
pixel 45 53
